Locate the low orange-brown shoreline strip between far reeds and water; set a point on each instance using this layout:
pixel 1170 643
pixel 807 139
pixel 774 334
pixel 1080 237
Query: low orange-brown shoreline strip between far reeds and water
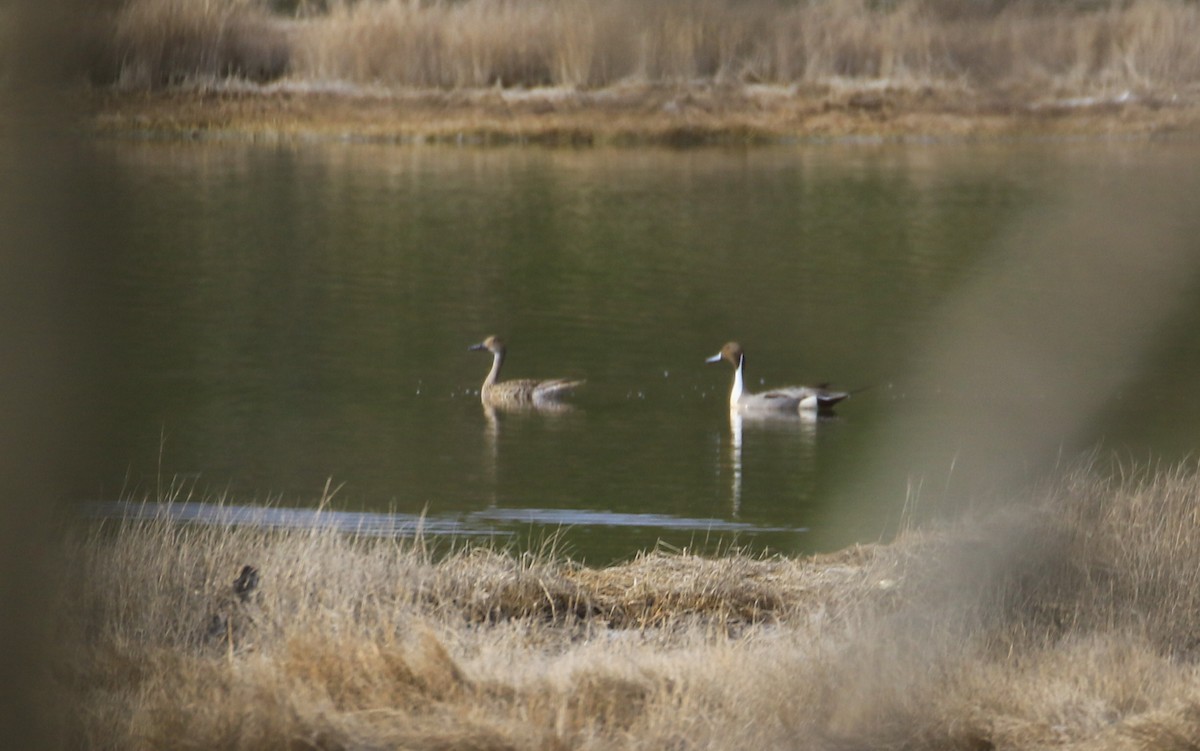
pixel 634 116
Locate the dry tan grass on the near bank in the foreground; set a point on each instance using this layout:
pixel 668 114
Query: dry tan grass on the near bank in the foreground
pixel 1064 622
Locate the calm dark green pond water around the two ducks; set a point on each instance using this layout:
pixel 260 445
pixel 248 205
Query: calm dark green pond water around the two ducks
pixel 284 320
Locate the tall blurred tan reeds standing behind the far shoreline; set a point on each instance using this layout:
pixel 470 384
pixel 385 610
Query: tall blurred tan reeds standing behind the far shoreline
pixel 1071 47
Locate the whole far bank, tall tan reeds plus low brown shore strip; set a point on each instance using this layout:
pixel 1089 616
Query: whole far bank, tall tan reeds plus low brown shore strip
pixel 574 71
